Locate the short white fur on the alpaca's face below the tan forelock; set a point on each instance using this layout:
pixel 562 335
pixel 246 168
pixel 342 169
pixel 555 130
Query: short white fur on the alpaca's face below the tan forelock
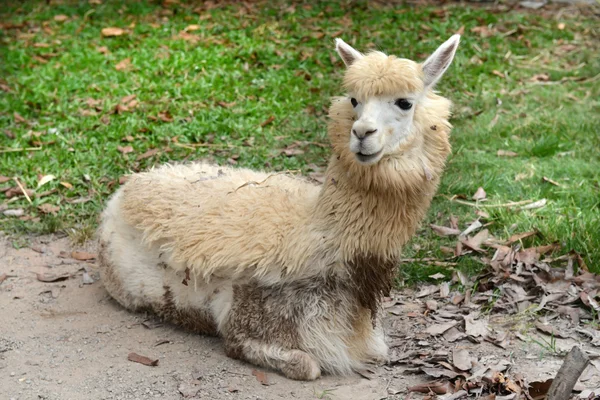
pixel 381 126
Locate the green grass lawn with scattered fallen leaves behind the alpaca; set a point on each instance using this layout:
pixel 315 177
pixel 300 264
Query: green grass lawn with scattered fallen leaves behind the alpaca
pixel 249 85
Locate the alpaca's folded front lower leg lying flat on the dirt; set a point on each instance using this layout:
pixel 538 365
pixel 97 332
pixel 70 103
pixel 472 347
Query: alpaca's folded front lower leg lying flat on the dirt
pixel 295 364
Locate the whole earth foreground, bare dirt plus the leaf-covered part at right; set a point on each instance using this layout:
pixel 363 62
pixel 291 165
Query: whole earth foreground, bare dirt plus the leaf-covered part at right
pixel 63 337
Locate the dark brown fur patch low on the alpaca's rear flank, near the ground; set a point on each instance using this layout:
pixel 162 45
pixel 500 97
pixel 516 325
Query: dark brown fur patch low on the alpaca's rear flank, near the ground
pixel 195 320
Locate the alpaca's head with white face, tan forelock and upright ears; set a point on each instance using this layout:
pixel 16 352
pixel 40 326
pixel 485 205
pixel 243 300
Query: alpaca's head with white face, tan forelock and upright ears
pixel 384 92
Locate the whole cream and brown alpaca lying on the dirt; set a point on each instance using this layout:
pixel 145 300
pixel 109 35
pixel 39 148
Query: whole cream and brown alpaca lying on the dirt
pixel 290 273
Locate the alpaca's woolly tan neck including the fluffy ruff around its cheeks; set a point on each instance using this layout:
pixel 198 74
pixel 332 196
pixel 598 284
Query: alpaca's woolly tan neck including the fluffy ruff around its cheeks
pixel 373 210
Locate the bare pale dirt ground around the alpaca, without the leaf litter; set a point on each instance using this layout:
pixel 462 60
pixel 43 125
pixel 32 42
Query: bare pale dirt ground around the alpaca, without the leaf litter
pixel 70 340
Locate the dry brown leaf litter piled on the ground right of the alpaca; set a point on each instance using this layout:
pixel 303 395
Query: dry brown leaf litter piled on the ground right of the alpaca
pixel 522 294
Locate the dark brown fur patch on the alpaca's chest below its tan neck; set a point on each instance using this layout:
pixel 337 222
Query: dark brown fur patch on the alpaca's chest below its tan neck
pixel 371 279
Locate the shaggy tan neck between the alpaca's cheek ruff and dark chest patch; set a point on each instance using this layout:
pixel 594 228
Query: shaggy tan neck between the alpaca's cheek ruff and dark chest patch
pixel 365 221
